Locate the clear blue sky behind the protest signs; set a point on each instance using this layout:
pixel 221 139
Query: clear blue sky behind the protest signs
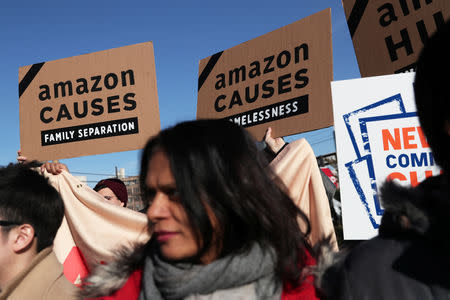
pixel 183 32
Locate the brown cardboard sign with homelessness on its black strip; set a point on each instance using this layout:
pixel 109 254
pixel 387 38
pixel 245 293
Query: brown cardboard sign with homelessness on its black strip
pixel 280 79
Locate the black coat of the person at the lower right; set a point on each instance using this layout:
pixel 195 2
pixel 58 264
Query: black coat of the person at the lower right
pixel 410 258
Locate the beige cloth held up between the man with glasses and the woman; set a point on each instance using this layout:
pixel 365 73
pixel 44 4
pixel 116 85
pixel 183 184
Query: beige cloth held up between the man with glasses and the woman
pixel 92 225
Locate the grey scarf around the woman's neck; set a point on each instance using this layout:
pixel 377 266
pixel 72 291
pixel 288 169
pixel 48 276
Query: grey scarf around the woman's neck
pixel 249 275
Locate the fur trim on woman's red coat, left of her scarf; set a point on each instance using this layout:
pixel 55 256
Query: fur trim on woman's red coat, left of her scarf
pixel 108 278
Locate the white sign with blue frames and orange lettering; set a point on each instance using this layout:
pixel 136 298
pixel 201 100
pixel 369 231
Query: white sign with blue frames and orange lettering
pixel 378 137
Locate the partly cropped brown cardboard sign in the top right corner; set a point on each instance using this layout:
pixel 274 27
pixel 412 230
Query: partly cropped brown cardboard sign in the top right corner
pixel 388 35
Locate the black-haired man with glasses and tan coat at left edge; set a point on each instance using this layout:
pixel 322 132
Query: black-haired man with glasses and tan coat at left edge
pixel 31 212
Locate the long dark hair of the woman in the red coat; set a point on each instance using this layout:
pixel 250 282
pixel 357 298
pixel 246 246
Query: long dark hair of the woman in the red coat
pixel 216 163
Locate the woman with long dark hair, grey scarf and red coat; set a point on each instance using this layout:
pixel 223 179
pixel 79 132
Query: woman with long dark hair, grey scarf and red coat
pixel 222 225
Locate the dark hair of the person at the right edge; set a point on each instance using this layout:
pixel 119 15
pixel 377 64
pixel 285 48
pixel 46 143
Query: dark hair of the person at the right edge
pixel 432 93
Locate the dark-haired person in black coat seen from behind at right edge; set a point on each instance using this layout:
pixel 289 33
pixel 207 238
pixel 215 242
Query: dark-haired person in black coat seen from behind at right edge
pixel 410 257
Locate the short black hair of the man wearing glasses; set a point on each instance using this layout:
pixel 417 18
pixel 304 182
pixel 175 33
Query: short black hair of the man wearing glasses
pixel 26 197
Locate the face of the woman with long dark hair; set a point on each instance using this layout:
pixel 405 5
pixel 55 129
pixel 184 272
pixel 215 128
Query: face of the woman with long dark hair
pixel 171 227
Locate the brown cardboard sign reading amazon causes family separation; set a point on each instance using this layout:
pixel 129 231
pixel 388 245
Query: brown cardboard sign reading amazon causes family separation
pixel 94 103
